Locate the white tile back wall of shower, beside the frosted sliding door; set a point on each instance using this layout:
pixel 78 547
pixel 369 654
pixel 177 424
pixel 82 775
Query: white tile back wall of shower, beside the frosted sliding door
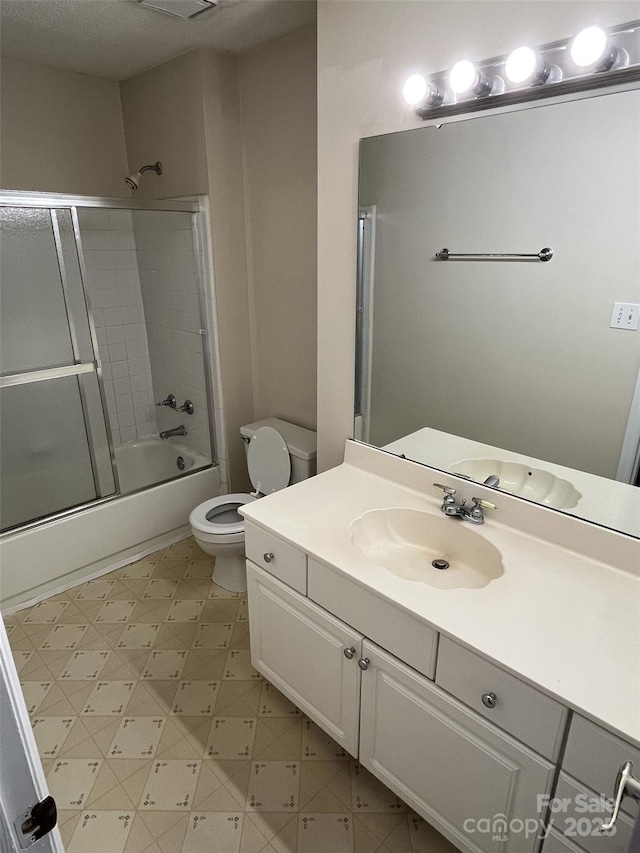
pixel 114 290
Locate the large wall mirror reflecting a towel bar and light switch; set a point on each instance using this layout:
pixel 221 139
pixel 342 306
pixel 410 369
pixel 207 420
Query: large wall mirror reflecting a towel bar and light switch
pixel 507 367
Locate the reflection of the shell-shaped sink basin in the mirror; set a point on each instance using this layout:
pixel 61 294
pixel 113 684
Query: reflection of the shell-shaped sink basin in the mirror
pixel 518 479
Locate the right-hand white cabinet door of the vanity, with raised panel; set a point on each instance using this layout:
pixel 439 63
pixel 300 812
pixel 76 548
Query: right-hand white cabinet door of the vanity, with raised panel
pixel 462 774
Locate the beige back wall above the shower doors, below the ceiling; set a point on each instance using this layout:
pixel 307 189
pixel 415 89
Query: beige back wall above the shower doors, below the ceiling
pixel 60 132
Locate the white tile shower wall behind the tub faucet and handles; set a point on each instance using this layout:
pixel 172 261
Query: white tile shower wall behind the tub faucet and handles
pixel 166 263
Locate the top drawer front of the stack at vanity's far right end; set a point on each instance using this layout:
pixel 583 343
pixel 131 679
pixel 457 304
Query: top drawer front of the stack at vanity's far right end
pixel 594 756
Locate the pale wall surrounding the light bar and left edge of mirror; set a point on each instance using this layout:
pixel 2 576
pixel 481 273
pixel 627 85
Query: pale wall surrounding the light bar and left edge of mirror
pixel 365 50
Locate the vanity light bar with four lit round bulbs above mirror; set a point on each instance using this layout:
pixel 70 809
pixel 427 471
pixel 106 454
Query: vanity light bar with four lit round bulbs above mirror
pixel 593 59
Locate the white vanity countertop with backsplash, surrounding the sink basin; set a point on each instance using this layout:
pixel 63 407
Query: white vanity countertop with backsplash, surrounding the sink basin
pixel 559 619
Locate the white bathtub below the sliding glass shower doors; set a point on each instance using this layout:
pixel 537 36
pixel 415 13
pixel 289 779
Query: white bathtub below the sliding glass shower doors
pixel 41 561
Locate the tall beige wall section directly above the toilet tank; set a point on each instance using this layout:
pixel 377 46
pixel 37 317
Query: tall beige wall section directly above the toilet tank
pixel 278 98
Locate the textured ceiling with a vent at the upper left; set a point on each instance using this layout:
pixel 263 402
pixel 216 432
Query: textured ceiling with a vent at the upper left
pixel 120 38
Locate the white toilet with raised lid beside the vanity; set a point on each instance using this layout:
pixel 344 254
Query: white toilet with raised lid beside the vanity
pixel 279 454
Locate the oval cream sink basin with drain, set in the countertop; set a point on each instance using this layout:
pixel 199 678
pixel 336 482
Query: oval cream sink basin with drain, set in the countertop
pixel 407 542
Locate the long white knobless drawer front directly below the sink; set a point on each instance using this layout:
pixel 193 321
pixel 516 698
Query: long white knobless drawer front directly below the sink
pixel 397 631
